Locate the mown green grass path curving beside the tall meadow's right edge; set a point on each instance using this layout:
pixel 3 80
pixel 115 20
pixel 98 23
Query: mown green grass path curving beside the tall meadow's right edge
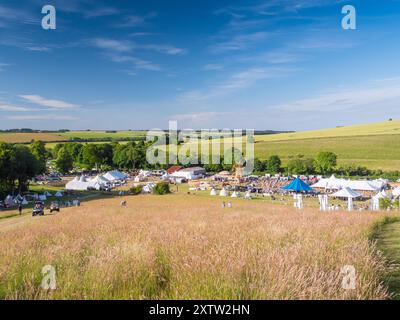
pixel 389 244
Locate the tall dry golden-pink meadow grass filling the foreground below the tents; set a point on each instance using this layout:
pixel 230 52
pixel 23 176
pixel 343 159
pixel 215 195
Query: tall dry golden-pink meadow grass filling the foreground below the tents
pixel 188 247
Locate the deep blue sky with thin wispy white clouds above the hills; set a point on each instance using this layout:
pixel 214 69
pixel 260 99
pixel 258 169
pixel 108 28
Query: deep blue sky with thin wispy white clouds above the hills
pixel 277 64
